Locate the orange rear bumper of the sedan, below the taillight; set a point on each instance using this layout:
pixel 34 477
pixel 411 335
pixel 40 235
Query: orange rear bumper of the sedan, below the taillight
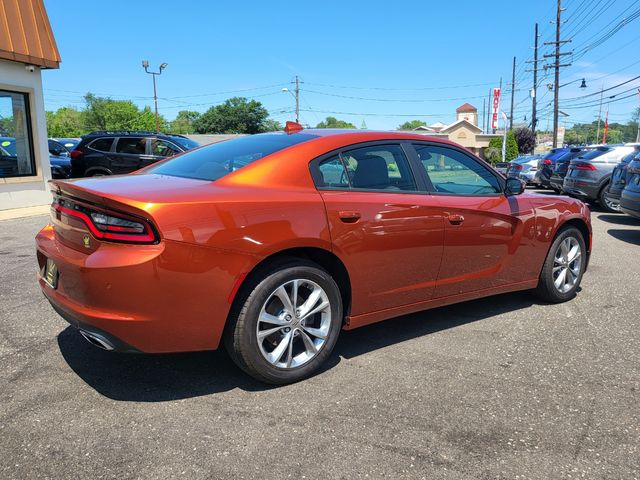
pixel 168 297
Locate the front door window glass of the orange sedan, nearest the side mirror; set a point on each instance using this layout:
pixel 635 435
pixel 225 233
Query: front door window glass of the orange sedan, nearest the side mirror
pixel 453 172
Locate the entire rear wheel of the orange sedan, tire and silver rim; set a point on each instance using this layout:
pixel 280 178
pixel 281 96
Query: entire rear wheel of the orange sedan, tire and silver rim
pixel 288 323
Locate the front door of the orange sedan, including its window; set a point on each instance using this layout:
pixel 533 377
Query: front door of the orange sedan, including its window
pixel 488 235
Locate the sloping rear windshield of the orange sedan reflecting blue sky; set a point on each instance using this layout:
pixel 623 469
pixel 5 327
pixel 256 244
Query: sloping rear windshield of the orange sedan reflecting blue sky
pixel 215 161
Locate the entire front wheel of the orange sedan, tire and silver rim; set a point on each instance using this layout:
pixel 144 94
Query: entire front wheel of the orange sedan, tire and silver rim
pixel 563 268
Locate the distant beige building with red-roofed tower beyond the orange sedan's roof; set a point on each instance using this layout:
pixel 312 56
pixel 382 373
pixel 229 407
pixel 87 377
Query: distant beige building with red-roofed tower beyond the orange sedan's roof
pixel 464 131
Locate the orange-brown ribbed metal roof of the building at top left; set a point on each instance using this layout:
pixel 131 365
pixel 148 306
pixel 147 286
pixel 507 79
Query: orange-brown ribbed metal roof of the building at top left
pixel 26 35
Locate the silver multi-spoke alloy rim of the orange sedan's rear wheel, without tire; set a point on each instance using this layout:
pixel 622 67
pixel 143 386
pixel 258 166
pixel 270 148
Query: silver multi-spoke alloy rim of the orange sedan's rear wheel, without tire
pixel 294 323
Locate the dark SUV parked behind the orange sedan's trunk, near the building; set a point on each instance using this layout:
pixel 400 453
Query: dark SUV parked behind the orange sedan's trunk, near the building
pixel 117 152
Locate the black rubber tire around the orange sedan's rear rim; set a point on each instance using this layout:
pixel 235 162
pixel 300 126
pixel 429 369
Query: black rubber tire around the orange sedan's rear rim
pixel 241 338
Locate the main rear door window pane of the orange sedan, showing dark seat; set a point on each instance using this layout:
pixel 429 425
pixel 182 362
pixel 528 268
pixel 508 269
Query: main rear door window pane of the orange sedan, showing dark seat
pixel 380 167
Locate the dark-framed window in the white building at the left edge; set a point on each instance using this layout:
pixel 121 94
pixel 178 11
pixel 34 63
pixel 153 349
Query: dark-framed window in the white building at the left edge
pixel 16 144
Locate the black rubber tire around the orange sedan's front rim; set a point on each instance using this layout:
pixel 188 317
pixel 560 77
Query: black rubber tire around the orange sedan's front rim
pixel 546 289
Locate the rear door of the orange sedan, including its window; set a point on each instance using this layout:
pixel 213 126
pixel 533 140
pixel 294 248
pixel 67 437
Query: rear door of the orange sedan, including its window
pixel 382 224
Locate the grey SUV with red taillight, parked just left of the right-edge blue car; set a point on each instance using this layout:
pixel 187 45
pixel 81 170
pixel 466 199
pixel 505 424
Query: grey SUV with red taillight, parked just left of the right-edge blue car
pixel 589 175
